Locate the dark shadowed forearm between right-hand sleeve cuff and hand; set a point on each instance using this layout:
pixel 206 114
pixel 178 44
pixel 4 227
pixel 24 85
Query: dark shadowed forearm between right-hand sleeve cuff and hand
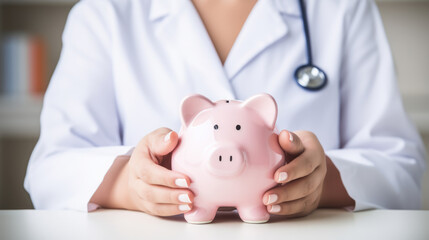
pixel 334 194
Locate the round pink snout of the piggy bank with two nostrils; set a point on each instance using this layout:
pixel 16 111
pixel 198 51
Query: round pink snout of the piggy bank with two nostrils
pixel 226 160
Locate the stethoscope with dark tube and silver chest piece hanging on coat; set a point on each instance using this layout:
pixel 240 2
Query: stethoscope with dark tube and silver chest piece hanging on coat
pixel 309 76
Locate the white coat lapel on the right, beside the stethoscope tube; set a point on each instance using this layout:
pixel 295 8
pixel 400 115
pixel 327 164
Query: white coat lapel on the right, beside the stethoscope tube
pixel 263 27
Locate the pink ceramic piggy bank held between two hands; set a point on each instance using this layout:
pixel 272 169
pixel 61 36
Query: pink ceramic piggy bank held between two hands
pixel 230 151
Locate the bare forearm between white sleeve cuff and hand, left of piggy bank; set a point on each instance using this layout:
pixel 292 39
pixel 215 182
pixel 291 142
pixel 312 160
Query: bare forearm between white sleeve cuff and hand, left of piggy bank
pixel 113 191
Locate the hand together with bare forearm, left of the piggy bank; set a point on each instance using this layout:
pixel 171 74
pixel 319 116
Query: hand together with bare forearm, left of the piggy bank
pixel 143 182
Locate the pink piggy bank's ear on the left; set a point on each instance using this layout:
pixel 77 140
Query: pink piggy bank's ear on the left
pixel 193 105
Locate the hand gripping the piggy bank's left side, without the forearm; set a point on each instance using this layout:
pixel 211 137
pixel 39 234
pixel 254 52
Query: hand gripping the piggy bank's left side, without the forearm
pixel 153 188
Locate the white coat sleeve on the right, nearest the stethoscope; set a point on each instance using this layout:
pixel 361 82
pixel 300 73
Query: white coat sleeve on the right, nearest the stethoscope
pixel 382 158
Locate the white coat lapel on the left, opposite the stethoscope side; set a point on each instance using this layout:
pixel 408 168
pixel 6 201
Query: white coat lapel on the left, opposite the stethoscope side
pixel 181 27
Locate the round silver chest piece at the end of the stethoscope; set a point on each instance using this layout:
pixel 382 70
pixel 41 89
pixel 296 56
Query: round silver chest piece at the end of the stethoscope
pixel 310 77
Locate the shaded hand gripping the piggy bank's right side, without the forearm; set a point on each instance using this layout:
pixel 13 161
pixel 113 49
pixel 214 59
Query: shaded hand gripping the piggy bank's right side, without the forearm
pixel 301 179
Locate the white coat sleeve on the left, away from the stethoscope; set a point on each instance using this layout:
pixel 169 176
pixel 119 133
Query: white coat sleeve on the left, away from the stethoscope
pixel 80 128
